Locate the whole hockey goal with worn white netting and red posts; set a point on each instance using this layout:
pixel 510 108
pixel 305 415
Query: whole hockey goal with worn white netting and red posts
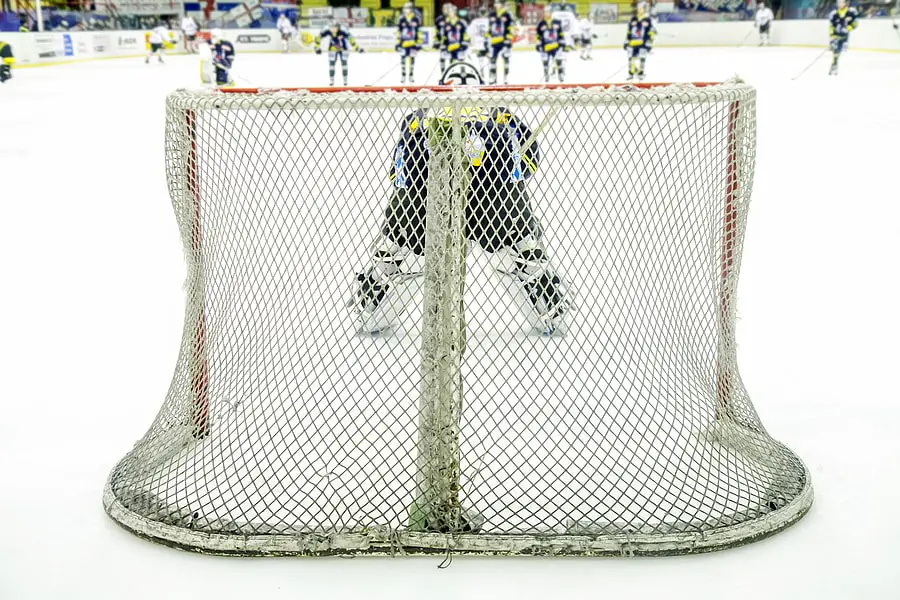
pixel 460 320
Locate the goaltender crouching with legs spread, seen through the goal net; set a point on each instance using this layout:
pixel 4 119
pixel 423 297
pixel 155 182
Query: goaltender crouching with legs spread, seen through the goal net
pixel 499 218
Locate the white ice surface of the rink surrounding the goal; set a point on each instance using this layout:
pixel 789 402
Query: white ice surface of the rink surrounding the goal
pixel 93 307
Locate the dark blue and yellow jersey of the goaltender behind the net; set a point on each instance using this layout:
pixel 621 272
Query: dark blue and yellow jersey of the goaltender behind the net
pixel 495 148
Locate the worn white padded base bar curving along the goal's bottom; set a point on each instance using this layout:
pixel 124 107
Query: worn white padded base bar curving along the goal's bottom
pixel 386 541
